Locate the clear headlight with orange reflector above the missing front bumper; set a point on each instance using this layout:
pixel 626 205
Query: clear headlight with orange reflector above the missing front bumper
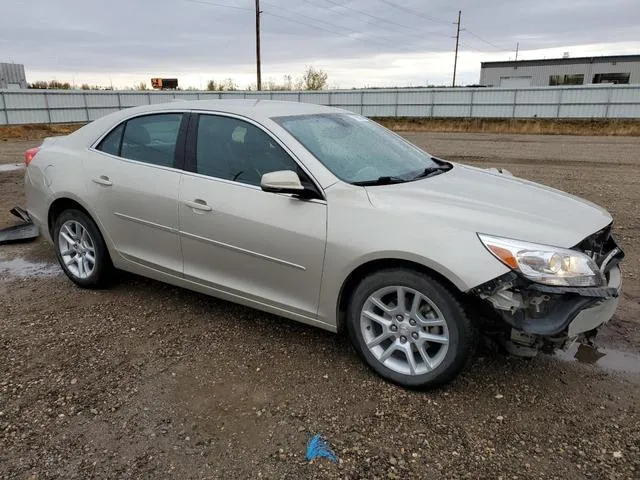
pixel 545 264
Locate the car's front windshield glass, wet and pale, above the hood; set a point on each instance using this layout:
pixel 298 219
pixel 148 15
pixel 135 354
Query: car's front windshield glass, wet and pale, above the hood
pixel 358 150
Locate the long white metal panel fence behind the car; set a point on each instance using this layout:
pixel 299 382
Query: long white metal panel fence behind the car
pixel 601 101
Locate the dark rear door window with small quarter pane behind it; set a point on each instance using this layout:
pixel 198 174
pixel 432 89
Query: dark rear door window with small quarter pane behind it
pixel 150 139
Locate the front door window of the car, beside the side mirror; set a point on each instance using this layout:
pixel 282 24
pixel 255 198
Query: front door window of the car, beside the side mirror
pixel 233 149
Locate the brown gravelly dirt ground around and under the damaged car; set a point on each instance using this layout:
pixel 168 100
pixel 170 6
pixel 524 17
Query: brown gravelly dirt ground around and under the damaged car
pixel 145 380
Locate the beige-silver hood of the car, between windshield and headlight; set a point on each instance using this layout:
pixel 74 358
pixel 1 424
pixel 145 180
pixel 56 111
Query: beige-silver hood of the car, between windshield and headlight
pixel 486 201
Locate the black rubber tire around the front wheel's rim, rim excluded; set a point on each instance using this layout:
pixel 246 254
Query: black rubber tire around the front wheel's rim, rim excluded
pixel 462 333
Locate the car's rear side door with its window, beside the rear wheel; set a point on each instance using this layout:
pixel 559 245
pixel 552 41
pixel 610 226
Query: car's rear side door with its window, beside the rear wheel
pixel 132 185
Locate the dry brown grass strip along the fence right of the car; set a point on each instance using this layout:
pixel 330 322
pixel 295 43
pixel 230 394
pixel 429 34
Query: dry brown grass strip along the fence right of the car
pixel 533 126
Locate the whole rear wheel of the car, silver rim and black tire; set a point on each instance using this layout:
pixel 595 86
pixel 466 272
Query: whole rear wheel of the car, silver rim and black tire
pixel 76 260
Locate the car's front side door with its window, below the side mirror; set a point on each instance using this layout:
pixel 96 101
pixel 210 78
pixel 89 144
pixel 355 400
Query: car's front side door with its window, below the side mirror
pixel 264 247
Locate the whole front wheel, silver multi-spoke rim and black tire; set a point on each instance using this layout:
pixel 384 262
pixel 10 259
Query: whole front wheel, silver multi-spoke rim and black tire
pixel 432 328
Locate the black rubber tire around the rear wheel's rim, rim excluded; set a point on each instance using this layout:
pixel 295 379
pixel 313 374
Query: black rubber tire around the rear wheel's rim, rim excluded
pixel 103 268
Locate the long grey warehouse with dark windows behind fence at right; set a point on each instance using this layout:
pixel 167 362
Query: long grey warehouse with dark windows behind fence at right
pixel 621 69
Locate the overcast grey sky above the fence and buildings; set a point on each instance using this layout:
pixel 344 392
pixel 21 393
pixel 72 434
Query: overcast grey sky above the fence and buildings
pixel 357 42
